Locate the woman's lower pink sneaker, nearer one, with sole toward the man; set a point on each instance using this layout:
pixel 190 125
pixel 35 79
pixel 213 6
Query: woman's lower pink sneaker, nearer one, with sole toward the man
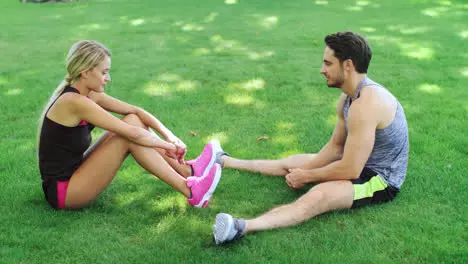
pixel 203 187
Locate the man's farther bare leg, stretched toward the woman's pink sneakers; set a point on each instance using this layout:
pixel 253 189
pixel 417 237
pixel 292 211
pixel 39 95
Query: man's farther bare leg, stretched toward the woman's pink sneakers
pixel 269 167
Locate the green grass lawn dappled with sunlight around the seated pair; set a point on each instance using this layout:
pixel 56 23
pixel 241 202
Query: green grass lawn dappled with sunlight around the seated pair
pixel 238 72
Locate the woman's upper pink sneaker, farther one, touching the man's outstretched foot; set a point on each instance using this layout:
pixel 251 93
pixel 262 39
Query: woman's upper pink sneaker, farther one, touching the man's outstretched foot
pixel 203 163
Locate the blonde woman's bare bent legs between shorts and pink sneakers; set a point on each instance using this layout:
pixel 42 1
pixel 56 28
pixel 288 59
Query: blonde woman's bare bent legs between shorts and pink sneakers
pixel 103 161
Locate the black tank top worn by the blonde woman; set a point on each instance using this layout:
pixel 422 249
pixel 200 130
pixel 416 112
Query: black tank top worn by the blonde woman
pixel 61 148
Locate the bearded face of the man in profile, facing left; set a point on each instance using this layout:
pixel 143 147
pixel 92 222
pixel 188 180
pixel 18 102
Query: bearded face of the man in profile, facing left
pixel 332 69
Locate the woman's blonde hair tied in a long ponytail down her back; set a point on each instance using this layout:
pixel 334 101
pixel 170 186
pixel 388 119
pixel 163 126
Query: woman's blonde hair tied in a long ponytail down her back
pixel 82 56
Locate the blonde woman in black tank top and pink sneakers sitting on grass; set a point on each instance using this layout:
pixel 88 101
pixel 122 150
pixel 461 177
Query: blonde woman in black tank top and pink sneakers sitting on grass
pixel 74 174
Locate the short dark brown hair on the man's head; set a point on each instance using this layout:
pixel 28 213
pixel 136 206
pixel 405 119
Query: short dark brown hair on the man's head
pixel 348 45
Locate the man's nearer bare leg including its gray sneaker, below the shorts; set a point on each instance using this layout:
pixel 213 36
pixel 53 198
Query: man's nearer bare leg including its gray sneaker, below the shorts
pixel 321 198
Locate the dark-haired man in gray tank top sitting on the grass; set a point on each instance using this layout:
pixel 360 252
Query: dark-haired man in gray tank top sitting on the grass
pixel 364 162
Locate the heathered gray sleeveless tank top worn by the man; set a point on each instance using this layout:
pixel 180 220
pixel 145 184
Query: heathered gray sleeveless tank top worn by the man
pixel 389 157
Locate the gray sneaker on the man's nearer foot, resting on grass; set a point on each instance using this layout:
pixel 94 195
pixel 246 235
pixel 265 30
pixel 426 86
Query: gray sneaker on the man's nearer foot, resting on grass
pixel 228 229
